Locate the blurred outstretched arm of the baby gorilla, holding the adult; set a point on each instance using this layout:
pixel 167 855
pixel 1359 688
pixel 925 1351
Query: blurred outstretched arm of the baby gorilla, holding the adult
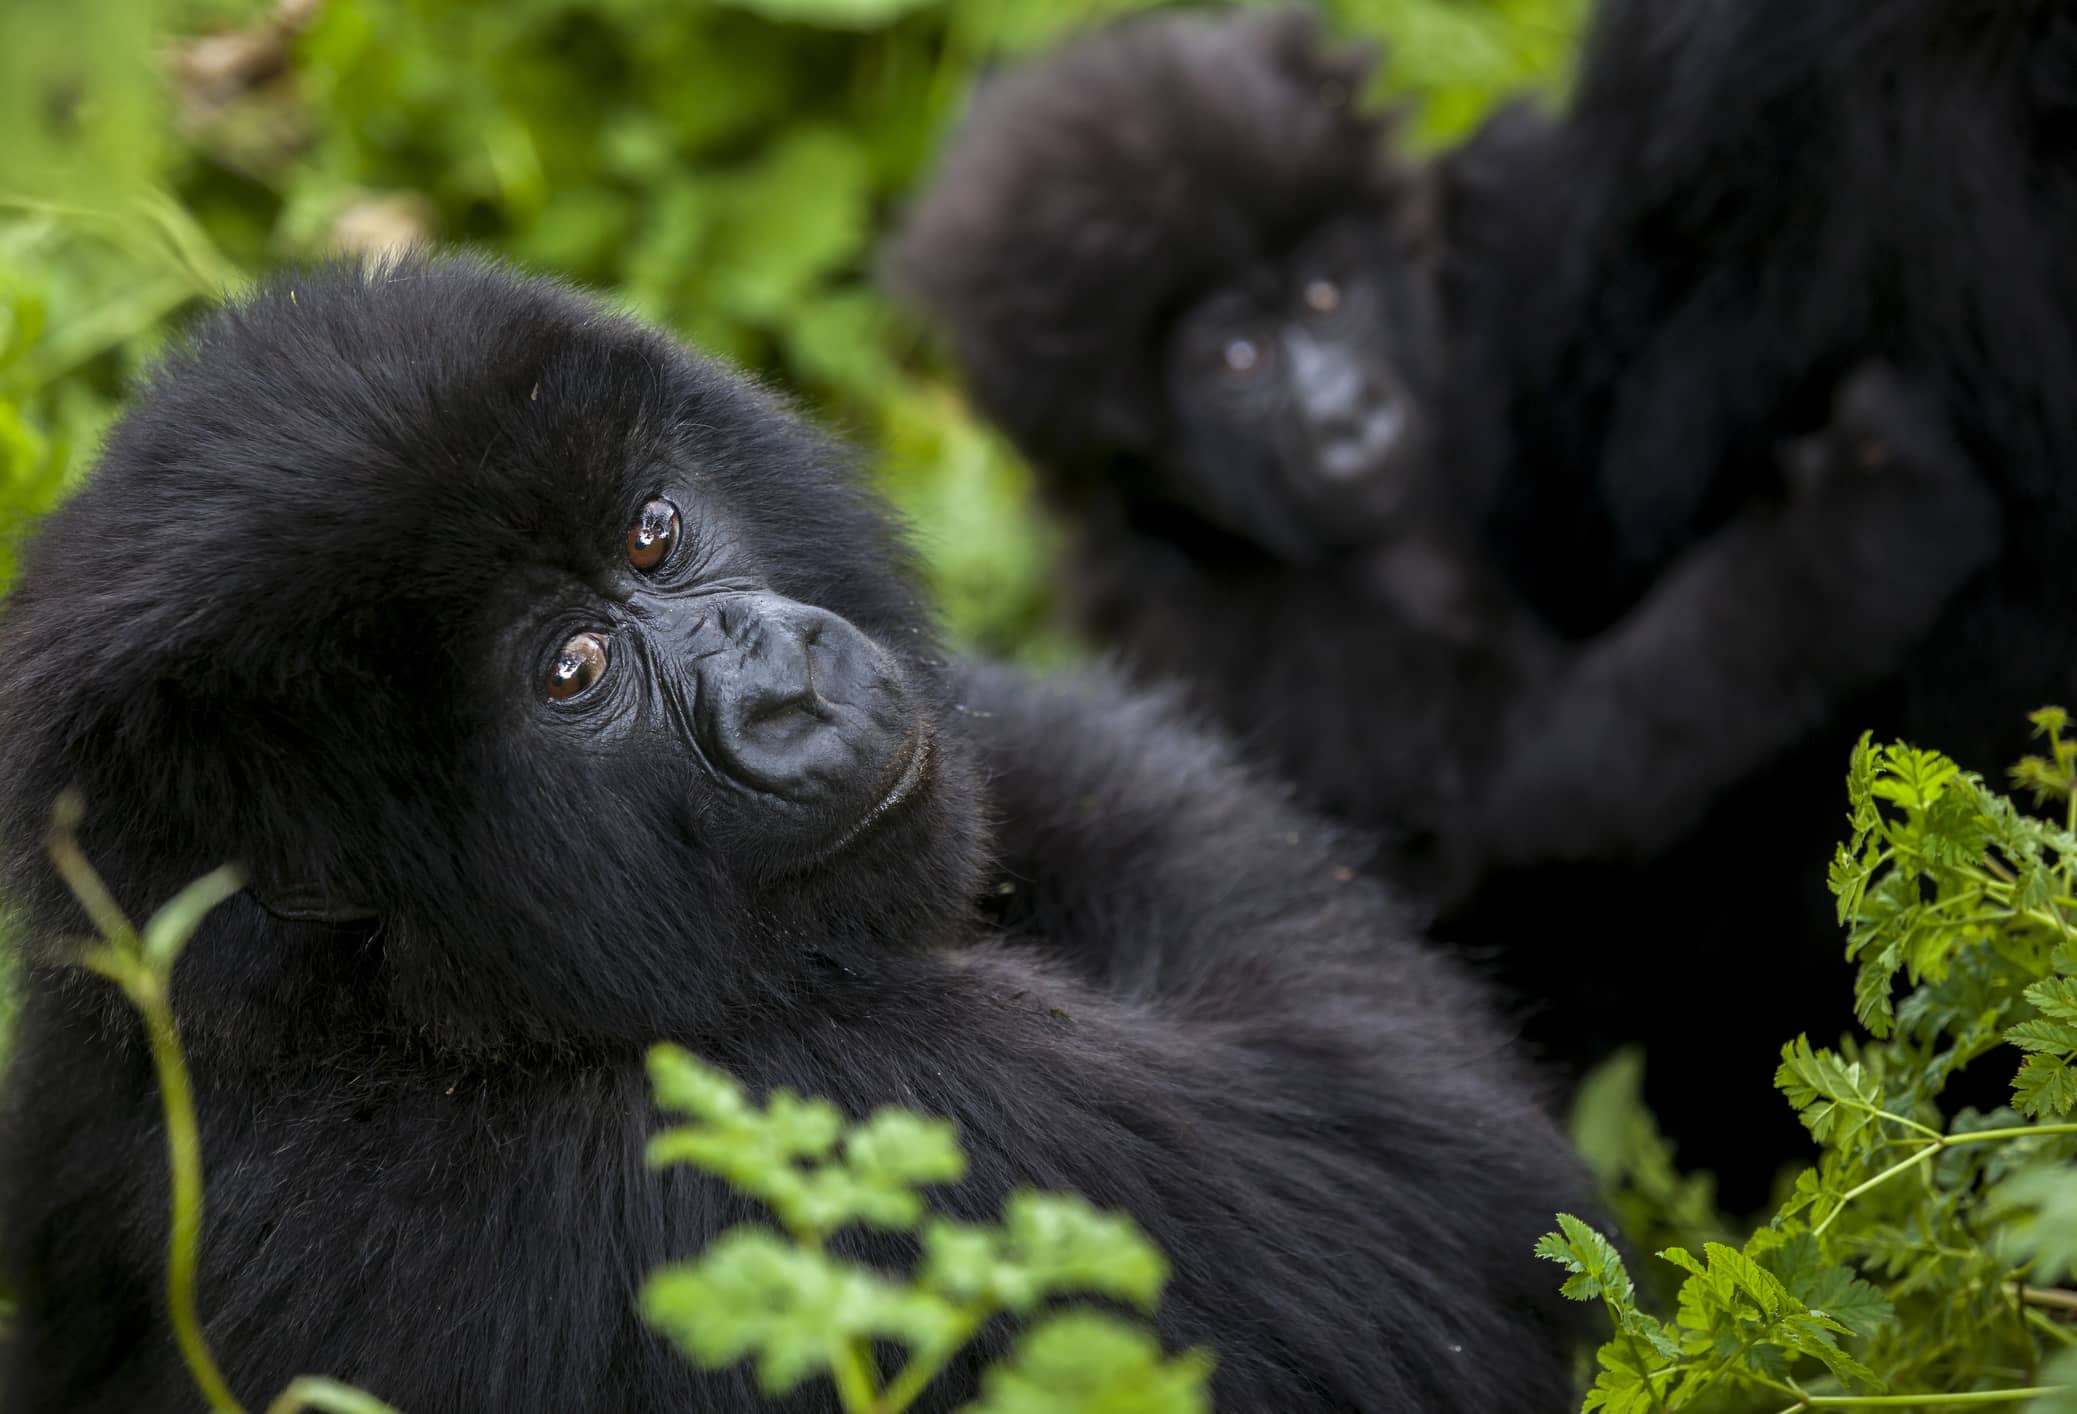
pixel 1748 645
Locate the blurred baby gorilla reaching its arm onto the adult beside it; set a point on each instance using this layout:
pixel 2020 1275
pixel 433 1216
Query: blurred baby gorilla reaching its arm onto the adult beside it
pixel 1262 366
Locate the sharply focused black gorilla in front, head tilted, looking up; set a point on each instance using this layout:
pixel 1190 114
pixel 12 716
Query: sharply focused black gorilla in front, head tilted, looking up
pixel 562 695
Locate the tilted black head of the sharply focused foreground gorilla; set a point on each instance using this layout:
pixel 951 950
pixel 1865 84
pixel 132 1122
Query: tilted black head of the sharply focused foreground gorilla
pixel 601 593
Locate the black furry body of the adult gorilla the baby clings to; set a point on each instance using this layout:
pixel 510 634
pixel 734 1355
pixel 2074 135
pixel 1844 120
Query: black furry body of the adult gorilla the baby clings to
pixel 1742 202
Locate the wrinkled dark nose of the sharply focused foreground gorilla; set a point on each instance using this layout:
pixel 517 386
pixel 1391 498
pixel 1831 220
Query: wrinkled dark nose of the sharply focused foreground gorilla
pixel 799 701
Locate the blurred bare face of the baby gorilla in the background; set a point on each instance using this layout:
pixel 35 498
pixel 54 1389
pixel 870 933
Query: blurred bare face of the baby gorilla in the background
pixel 1299 393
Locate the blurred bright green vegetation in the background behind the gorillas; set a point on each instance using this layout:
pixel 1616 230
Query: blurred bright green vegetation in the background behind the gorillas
pixel 726 167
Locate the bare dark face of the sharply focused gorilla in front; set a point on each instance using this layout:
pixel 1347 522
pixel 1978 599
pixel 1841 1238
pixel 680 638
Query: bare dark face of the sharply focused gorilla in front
pixel 797 726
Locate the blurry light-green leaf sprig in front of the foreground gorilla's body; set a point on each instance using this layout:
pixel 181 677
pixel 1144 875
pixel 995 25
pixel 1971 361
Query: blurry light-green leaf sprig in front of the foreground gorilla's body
pixel 799 1311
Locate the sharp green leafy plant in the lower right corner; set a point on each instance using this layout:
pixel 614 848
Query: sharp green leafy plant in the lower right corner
pixel 1918 1263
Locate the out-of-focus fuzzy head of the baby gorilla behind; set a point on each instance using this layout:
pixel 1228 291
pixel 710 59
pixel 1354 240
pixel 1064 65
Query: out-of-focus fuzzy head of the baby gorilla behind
pixel 1185 273
